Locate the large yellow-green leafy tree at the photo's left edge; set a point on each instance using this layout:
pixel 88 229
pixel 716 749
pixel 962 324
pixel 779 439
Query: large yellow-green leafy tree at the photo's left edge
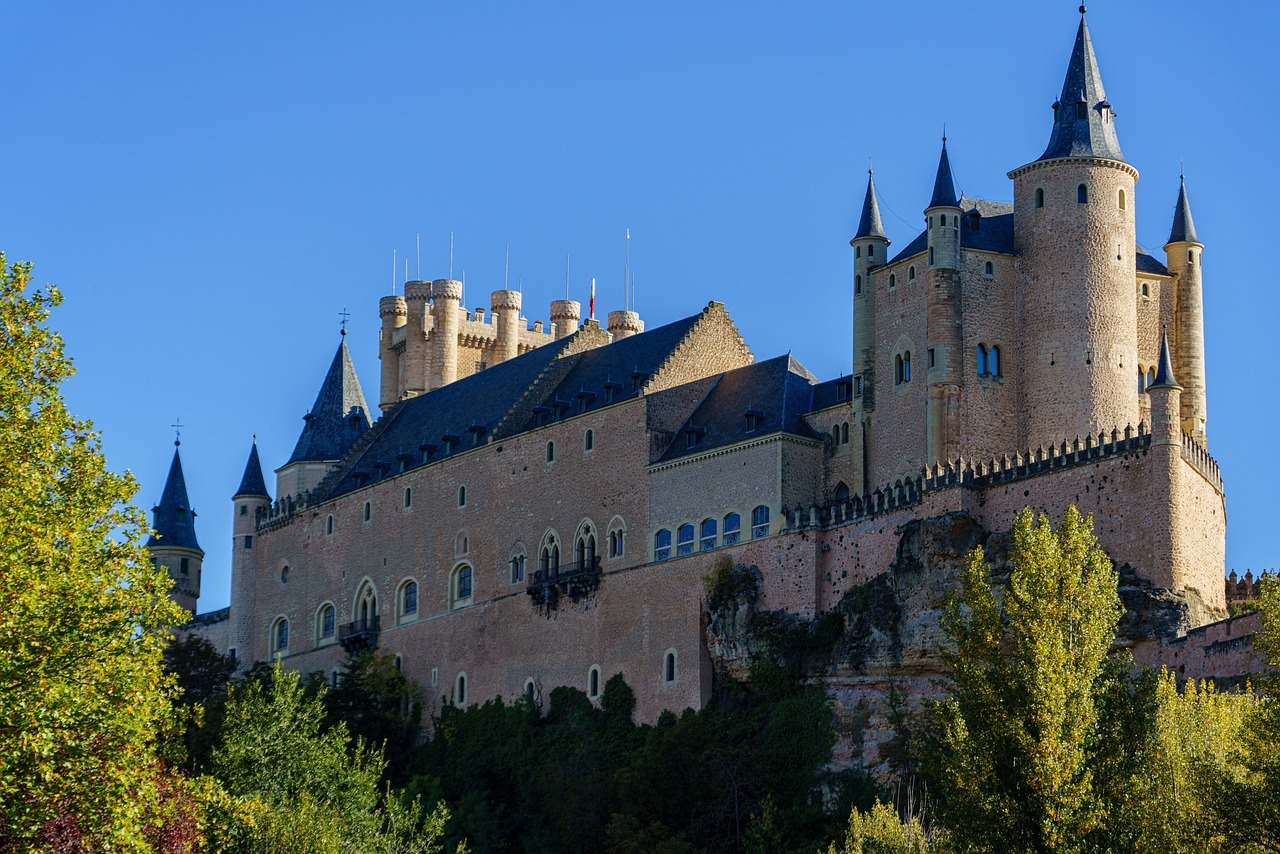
pixel 83 610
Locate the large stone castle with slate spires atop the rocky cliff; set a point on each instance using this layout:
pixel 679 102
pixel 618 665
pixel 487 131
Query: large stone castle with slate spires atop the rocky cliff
pixel 540 506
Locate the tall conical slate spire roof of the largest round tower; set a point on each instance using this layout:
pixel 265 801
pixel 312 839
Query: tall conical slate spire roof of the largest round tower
pixel 1091 136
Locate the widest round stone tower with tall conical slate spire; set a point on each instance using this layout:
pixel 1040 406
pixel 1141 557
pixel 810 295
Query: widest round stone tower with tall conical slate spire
pixel 1076 244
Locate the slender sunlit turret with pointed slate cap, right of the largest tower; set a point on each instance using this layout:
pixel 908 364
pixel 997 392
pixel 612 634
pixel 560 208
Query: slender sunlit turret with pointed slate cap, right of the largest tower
pixel 1185 250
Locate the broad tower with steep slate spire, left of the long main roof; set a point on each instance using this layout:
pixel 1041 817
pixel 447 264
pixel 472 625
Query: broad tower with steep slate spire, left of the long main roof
pixel 337 419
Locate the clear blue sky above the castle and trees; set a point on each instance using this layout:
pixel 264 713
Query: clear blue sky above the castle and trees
pixel 211 185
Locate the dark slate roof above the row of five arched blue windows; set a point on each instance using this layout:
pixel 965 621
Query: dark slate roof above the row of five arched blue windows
pixel 778 392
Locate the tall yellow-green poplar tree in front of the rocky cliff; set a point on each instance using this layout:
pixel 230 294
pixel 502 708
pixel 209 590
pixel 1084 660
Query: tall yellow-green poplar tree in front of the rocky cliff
pixel 1018 742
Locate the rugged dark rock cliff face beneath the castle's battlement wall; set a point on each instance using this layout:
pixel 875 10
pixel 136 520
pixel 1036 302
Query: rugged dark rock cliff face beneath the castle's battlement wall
pixel 885 636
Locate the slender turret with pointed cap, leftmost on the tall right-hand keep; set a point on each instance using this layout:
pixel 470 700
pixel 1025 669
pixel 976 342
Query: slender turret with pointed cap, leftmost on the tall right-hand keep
pixel 871 250
